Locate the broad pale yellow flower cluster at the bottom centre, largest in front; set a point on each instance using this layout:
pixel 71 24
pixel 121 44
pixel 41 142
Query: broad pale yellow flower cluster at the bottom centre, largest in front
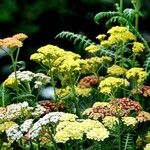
pixel 74 130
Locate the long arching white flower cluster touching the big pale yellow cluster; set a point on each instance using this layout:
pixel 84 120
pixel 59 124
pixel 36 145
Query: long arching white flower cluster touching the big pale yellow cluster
pixel 51 117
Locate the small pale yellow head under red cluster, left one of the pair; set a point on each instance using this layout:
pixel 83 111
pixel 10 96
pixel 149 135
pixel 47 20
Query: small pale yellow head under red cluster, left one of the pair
pixel 110 121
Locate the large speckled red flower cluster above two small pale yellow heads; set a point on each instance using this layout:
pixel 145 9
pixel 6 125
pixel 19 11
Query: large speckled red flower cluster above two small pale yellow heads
pixel 118 107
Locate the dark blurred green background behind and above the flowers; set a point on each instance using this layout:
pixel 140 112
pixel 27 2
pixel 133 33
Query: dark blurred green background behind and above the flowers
pixel 42 20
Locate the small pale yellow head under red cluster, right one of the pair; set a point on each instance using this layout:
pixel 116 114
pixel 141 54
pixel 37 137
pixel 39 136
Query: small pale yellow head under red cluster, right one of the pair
pixel 129 121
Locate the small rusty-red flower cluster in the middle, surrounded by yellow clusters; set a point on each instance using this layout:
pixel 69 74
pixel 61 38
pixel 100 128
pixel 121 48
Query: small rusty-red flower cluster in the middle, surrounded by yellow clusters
pixel 88 81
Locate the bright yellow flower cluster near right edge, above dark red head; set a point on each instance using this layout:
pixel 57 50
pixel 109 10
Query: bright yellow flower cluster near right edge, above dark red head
pixel 137 73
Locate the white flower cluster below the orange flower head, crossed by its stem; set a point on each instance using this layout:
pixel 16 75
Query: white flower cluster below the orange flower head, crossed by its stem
pixel 39 79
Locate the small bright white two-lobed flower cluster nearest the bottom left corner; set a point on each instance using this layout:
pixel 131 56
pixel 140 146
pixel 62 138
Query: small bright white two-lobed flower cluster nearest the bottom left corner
pixel 15 132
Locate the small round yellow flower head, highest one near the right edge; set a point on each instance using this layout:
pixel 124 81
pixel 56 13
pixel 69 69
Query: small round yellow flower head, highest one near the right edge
pixel 137 47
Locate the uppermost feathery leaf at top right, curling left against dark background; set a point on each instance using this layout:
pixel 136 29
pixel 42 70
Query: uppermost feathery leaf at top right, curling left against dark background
pixel 108 14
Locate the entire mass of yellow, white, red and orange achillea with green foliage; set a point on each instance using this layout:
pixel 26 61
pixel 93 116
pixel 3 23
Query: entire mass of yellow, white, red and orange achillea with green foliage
pixel 98 100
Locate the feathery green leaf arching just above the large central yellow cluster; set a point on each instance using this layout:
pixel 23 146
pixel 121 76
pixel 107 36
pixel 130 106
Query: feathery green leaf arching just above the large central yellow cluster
pixel 81 41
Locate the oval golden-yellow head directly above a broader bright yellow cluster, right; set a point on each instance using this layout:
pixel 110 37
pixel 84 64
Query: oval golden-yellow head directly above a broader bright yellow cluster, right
pixel 116 70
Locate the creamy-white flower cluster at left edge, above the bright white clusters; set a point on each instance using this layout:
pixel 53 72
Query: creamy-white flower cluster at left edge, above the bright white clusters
pixel 14 110
